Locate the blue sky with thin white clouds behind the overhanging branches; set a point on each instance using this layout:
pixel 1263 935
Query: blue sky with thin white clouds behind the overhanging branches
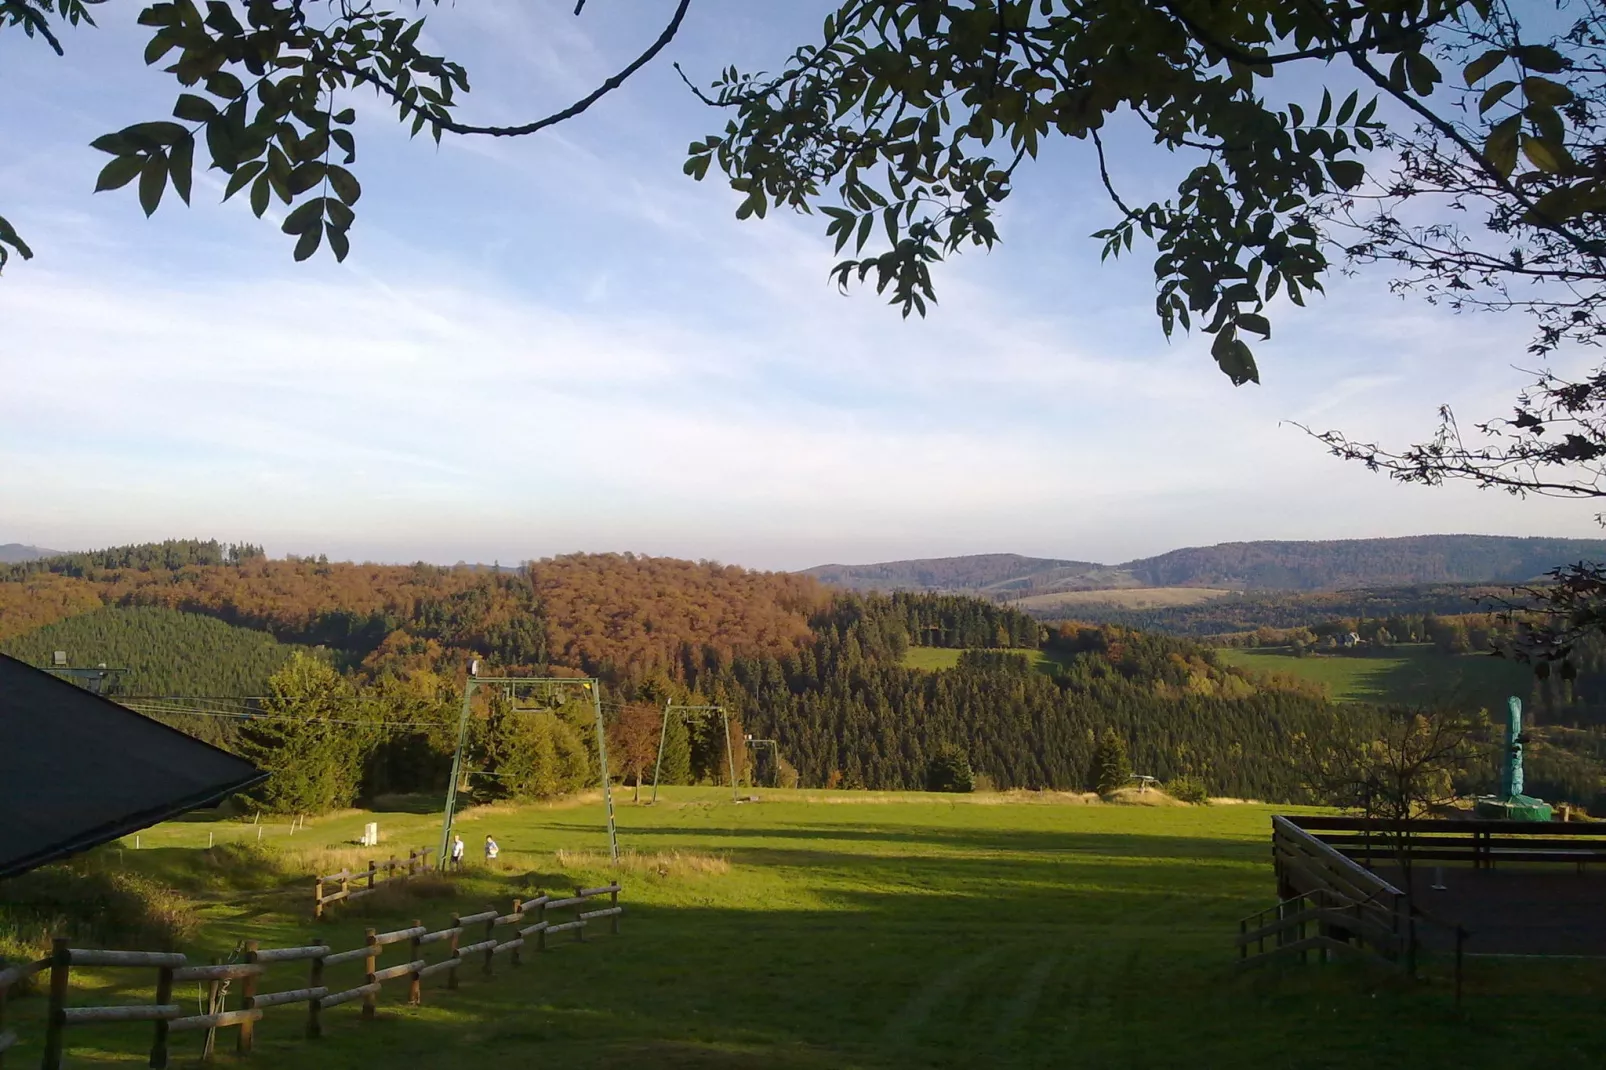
pixel 563 345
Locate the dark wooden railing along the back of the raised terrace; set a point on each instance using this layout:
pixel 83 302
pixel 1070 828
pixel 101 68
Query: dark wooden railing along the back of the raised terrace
pixel 1449 841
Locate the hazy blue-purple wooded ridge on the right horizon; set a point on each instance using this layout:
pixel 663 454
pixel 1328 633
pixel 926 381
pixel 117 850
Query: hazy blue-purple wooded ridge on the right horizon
pixel 1260 566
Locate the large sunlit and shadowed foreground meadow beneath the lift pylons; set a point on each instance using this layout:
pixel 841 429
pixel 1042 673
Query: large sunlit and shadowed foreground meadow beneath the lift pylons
pixel 834 929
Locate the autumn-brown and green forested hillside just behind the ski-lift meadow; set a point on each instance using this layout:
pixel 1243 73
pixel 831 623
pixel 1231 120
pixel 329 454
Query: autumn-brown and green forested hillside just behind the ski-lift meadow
pixel 821 674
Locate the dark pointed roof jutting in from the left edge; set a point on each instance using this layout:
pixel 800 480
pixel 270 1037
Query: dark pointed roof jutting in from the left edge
pixel 78 770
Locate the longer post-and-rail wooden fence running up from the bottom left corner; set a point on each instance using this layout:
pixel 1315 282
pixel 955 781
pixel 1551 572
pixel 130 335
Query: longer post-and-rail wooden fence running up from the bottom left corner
pixel 489 933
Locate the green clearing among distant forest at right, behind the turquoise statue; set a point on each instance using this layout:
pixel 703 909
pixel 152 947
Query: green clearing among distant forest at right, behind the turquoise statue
pixel 1412 674
